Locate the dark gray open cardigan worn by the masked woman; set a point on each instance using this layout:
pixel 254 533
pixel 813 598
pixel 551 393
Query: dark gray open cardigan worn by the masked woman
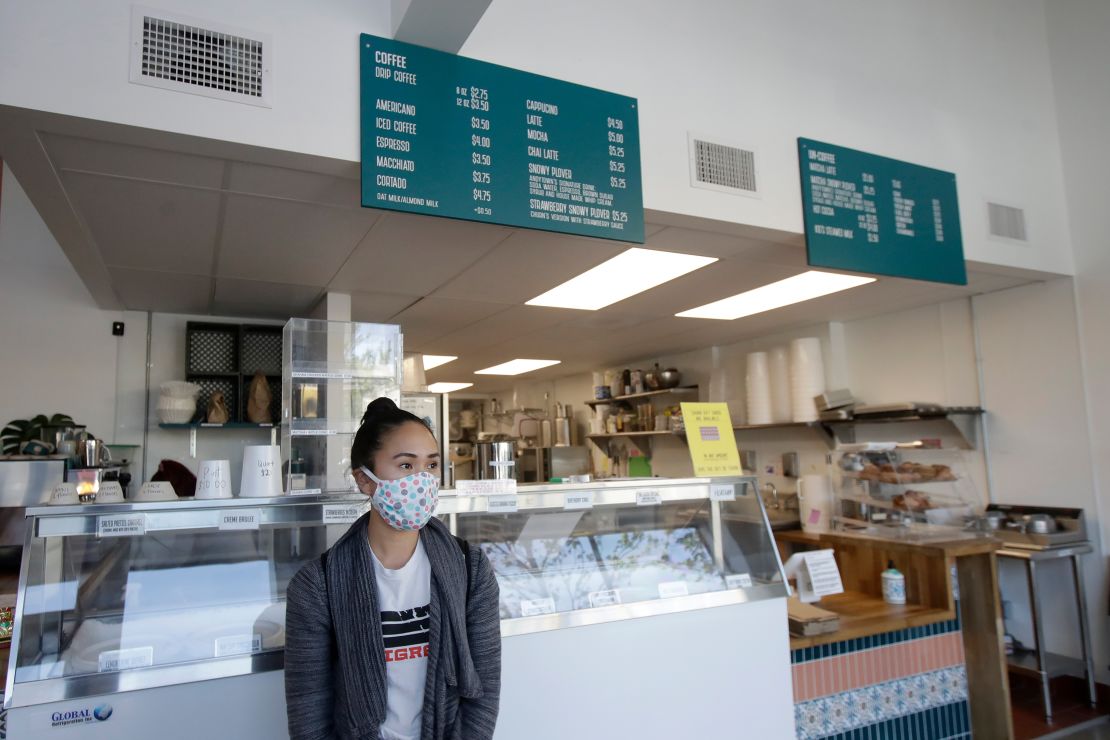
pixel 335 657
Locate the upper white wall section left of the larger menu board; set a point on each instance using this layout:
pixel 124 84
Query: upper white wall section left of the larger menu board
pixel 73 57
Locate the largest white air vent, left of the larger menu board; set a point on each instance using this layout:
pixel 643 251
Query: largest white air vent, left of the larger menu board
pixel 198 57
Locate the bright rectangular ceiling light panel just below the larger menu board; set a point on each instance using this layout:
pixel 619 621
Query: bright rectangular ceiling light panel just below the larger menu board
pixel 631 272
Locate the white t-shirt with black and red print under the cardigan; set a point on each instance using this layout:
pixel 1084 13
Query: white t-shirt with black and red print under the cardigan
pixel 405 596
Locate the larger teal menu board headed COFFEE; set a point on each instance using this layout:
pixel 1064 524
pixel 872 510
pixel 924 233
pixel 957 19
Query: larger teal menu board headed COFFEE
pixel 455 137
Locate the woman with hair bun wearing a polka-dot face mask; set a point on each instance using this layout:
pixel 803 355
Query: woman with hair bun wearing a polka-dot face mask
pixel 395 633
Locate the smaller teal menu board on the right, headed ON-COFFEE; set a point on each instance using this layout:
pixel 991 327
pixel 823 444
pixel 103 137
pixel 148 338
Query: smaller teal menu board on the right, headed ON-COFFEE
pixel 873 215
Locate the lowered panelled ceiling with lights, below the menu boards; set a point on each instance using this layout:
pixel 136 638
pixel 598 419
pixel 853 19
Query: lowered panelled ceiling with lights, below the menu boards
pixel 162 222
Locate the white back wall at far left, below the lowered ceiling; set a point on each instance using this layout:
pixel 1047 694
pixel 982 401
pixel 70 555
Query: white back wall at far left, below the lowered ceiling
pixel 59 353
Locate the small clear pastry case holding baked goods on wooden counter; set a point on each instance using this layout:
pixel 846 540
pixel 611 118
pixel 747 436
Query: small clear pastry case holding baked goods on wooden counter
pixel 902 490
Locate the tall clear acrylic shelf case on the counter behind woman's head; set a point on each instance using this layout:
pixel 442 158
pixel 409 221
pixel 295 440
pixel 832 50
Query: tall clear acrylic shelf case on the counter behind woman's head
pixel 330 372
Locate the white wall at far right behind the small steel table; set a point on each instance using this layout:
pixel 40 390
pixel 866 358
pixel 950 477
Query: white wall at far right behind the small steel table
pixel 1040 452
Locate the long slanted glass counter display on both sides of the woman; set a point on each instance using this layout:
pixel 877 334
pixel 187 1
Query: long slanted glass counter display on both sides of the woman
pixel 115 599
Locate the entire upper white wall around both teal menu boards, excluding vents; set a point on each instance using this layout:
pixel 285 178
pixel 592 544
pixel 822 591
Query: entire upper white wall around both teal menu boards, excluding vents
pixel 960 86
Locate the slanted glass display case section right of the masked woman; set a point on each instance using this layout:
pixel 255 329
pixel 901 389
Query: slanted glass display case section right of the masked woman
pixel 591 553
